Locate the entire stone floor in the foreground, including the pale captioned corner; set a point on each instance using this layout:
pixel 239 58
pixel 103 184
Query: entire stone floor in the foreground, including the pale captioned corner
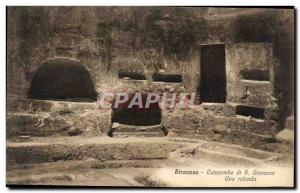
pixel 136 161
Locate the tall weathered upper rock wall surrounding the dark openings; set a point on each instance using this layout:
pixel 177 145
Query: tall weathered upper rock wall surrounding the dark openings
pixel 155 39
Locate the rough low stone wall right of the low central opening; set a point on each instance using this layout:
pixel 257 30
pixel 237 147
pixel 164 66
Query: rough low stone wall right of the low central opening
pixel 209 123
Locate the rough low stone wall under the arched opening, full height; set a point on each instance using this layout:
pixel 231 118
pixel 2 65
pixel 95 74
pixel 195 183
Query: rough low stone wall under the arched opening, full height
pixel 46 118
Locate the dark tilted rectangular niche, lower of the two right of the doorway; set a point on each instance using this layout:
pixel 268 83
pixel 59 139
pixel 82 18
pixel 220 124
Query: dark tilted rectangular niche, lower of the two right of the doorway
pixel 254 112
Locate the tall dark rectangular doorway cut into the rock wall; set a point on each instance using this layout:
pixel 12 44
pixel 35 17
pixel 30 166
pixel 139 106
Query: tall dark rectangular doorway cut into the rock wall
pixel 213 74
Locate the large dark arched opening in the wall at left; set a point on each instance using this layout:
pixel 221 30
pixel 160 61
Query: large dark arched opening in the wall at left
pixel 62 79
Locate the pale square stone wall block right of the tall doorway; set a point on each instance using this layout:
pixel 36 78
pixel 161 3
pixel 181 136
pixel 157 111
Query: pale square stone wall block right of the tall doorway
pixel 253 59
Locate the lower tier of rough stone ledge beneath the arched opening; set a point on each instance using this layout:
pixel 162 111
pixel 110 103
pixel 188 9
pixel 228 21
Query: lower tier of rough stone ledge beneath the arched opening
pixel 63 122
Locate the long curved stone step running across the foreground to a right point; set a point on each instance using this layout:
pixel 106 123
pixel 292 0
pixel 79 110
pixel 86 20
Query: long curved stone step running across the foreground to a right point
pixel 42 150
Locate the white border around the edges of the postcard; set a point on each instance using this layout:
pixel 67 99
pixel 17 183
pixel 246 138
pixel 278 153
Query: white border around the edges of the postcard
pixel 106 3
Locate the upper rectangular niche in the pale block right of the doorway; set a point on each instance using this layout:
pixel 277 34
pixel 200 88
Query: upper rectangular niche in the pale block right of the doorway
pixel 259 75
